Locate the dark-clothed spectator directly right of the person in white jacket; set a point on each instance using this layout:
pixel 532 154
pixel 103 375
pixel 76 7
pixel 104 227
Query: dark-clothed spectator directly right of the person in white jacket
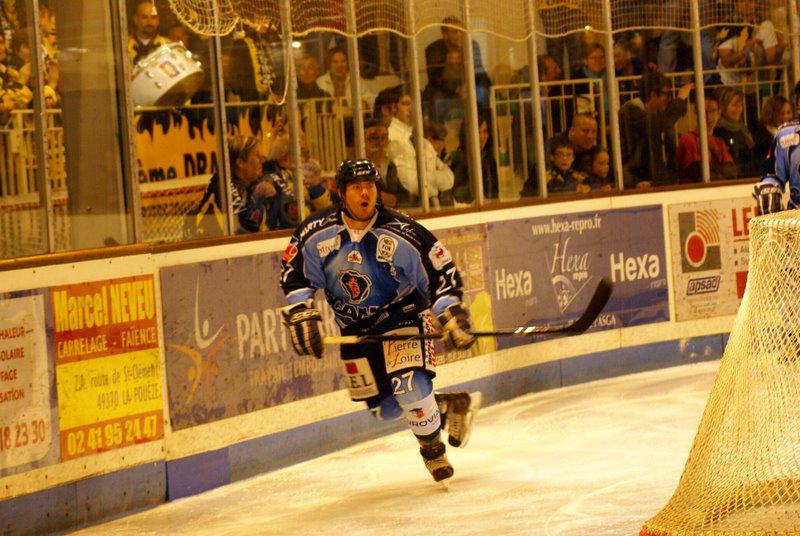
pixel 459 163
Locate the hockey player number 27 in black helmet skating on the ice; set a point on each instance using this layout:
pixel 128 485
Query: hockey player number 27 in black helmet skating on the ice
pixel 381 271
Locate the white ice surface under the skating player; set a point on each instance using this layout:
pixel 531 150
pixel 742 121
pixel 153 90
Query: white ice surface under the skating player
pixel 598 458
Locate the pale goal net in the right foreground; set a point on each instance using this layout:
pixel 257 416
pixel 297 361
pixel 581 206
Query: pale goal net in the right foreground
pixel 743 472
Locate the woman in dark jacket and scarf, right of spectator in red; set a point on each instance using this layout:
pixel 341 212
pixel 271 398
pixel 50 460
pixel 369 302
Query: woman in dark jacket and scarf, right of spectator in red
pixel 733 131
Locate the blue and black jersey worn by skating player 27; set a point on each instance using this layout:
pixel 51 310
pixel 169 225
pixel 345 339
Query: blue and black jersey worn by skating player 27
pixel 394 262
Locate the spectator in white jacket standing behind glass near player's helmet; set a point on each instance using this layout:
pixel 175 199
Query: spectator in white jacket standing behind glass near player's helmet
pixel 404 155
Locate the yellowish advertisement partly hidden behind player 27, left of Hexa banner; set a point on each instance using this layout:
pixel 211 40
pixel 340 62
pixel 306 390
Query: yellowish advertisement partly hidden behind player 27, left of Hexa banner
pixel 468 247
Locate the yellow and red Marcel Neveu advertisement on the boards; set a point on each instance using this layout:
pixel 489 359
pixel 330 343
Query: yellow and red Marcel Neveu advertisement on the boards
pixel 108 373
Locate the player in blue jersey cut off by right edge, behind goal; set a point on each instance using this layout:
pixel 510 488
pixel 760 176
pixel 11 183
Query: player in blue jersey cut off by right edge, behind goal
pixel 781 167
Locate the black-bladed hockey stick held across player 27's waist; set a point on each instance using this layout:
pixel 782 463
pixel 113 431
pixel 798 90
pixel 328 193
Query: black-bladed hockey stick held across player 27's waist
pixel 599 299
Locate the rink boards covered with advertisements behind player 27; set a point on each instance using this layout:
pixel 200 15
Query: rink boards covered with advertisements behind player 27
pixel 129 381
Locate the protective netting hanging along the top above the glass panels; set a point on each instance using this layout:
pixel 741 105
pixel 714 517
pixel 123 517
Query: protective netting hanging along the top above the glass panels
pixel 553 18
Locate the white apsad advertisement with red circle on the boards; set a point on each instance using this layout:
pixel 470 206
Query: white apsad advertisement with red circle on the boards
pixel 710 255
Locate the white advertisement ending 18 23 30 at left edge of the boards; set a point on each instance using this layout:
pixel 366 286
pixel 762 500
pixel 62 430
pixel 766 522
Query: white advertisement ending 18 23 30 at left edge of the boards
pixel 25 379
